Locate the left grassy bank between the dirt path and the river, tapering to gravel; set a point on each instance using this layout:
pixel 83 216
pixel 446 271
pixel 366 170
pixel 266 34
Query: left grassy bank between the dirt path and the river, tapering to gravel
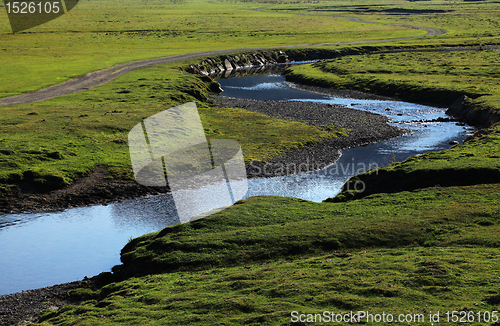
pixel 50 144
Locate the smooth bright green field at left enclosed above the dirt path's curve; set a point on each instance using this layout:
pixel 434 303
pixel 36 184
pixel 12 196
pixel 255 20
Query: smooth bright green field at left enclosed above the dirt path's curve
pixel 99 34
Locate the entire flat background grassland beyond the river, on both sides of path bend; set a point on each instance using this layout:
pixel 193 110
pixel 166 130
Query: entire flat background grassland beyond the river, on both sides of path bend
pixel 99 34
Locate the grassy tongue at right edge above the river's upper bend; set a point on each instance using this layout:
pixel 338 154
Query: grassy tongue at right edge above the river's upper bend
pixel 431 77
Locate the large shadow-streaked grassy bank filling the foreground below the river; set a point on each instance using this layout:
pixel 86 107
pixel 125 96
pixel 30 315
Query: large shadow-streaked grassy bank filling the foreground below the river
pixel 256 262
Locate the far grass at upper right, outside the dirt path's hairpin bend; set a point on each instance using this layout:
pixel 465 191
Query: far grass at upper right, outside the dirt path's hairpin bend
pixel 464 21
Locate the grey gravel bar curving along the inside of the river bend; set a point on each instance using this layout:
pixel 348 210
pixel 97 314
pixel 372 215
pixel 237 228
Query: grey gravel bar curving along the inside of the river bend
pixel 365 128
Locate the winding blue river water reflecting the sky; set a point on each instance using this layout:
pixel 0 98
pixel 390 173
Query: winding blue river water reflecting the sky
pixel 42 249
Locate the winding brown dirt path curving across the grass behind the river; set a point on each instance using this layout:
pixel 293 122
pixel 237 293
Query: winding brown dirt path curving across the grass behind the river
pixel 101 77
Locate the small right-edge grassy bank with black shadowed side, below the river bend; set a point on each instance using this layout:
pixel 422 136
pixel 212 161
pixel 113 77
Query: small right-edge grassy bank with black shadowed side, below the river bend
pixel 474 162
